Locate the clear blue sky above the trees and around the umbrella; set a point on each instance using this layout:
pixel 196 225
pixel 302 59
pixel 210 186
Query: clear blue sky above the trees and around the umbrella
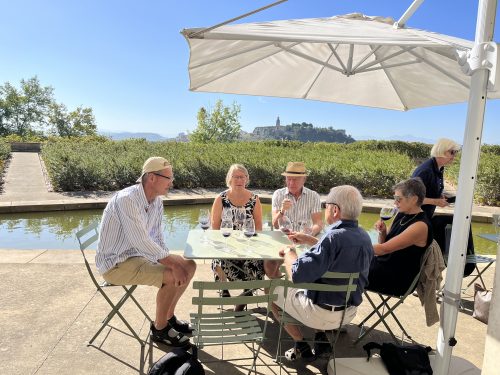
pixel 127 60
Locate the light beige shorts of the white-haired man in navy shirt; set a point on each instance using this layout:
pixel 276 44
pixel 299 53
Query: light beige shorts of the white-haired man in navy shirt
pixel 301 308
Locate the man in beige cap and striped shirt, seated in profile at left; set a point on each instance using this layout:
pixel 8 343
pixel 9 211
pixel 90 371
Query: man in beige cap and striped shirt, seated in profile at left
pixel 131 249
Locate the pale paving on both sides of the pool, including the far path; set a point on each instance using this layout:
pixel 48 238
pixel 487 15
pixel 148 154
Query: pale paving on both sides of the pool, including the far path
pixel 49 309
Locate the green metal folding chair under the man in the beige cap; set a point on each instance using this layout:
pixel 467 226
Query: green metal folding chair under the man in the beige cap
pixel 86 237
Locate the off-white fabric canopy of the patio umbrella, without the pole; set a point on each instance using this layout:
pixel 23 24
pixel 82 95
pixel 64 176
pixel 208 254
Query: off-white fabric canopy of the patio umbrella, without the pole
pixel 350 59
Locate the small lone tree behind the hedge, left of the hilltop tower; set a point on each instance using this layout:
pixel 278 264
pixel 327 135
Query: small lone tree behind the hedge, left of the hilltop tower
pixel 219 124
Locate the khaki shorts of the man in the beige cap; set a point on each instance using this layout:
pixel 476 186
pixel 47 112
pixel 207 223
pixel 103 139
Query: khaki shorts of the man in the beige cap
pixel 136 271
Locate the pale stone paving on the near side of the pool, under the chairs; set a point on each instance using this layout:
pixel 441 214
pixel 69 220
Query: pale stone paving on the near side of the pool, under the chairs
pixel 49 311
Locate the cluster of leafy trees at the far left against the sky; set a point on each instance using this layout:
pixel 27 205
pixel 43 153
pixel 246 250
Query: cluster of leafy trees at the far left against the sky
pixel 31 109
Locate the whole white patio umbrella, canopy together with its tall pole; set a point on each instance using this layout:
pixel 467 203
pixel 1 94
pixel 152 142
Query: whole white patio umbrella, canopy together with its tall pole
pixel 360 60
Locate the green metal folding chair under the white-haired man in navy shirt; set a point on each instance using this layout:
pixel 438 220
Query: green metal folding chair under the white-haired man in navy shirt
pixel 345 283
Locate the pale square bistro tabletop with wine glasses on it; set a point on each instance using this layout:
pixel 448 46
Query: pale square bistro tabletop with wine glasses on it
pixel 265 245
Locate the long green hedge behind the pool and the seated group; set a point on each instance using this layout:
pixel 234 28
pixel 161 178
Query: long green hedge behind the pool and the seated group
pixel 372 166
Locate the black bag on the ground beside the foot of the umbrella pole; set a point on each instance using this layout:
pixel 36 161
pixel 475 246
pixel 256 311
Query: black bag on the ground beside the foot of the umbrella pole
pixel 402 360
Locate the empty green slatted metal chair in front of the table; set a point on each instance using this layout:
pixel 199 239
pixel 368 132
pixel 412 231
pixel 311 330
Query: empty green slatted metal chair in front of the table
pixel 215 326
